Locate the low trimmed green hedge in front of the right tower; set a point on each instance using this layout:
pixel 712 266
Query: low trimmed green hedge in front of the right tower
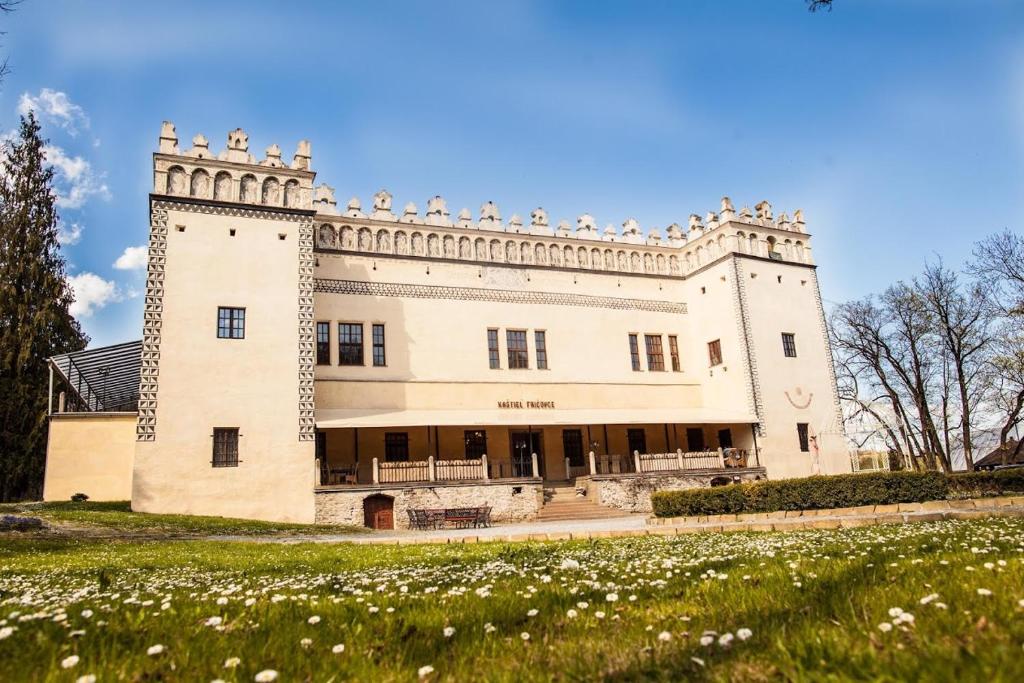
pixel 816 493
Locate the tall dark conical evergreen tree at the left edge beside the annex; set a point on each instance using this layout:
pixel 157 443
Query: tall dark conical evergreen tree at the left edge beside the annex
pixel 34 301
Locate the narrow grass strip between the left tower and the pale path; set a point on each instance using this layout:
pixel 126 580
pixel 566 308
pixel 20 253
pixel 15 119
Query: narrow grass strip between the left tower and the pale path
pixel 119 518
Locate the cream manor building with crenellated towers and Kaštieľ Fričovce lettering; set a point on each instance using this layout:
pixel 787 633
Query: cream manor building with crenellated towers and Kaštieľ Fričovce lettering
pixel 307 362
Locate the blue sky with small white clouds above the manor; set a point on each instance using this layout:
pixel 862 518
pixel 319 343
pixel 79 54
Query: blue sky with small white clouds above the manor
pixel 898 125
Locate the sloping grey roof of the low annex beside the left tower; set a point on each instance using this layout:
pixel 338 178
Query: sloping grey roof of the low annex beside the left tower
pixel 105 379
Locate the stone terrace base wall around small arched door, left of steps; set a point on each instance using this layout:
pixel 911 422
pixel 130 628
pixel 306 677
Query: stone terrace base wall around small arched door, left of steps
pixel 345 506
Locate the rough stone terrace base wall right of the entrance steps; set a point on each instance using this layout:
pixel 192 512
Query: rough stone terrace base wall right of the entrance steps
pixel 632 492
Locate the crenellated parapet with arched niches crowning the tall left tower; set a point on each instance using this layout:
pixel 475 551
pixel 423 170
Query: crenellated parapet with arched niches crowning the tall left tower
pixel 234 176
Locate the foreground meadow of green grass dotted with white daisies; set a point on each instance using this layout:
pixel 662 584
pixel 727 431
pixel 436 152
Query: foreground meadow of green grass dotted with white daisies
pixel 928 602
